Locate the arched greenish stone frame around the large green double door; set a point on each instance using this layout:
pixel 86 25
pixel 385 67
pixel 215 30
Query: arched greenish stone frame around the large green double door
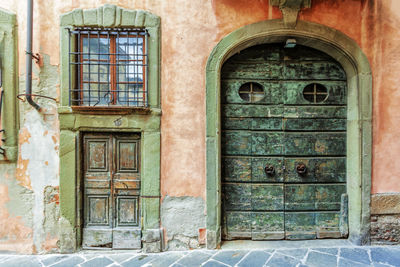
pixel 359 114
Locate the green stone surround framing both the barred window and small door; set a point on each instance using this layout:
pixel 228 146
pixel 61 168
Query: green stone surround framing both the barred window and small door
pixel 75 122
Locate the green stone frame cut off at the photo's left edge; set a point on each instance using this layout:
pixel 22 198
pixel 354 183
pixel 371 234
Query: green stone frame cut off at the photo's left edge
pixel 9 66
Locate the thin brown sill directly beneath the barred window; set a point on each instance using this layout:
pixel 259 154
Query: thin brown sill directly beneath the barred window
pixel 111 110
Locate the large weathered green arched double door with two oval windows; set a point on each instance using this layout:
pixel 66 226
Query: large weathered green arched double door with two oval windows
pixel 283 145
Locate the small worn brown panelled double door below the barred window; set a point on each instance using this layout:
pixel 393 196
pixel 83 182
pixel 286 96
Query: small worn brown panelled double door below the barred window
pixel 111 191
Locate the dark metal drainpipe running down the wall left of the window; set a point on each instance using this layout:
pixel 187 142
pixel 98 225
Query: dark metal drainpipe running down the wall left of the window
pixel 28 90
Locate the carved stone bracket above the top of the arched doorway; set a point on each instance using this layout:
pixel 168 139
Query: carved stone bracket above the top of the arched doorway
pixel 290 10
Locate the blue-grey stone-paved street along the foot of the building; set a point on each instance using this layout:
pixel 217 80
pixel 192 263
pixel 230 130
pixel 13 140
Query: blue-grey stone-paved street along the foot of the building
pixel 376 256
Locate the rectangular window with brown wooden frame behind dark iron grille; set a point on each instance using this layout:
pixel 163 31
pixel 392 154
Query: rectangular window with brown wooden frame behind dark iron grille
pixel 108 67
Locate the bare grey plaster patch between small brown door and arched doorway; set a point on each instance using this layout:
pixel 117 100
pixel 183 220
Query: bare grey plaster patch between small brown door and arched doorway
pixel 182 217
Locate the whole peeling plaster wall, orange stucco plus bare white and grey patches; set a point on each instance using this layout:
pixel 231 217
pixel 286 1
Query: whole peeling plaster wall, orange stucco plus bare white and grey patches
pixel 29 211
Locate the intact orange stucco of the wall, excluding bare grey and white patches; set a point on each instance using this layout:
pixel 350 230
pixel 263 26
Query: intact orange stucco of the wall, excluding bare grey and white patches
pixel 191 29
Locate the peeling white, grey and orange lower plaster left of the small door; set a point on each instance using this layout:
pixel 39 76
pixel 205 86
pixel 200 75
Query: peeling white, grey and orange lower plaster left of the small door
pixel 32 188
